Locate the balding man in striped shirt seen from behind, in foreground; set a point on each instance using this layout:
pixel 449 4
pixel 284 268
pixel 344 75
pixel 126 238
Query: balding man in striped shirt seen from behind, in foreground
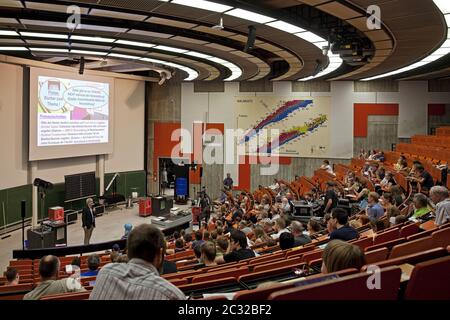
pixel 139 278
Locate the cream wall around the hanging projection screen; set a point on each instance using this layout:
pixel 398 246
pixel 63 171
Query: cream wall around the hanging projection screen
pixel 129 137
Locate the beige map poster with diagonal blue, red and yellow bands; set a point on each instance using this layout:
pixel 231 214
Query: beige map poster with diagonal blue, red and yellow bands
pixel 302 124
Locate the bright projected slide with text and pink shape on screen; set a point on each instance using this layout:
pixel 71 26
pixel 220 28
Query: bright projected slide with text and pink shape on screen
pixel 71 112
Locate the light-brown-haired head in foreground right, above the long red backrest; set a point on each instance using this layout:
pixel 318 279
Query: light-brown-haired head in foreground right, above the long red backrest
pixel 339 255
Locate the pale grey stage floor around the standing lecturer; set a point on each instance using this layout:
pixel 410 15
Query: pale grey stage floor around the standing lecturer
pixel 110 226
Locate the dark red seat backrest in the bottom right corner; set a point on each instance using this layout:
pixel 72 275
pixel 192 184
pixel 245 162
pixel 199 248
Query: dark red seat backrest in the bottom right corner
pixel 430 280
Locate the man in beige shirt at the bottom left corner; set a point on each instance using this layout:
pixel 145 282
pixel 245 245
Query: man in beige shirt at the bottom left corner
pixel 48 270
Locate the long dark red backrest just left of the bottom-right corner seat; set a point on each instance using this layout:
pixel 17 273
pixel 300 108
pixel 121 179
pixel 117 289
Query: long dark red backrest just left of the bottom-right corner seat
pixel 352 287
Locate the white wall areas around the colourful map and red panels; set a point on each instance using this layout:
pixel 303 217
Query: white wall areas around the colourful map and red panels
pixel 413 99
